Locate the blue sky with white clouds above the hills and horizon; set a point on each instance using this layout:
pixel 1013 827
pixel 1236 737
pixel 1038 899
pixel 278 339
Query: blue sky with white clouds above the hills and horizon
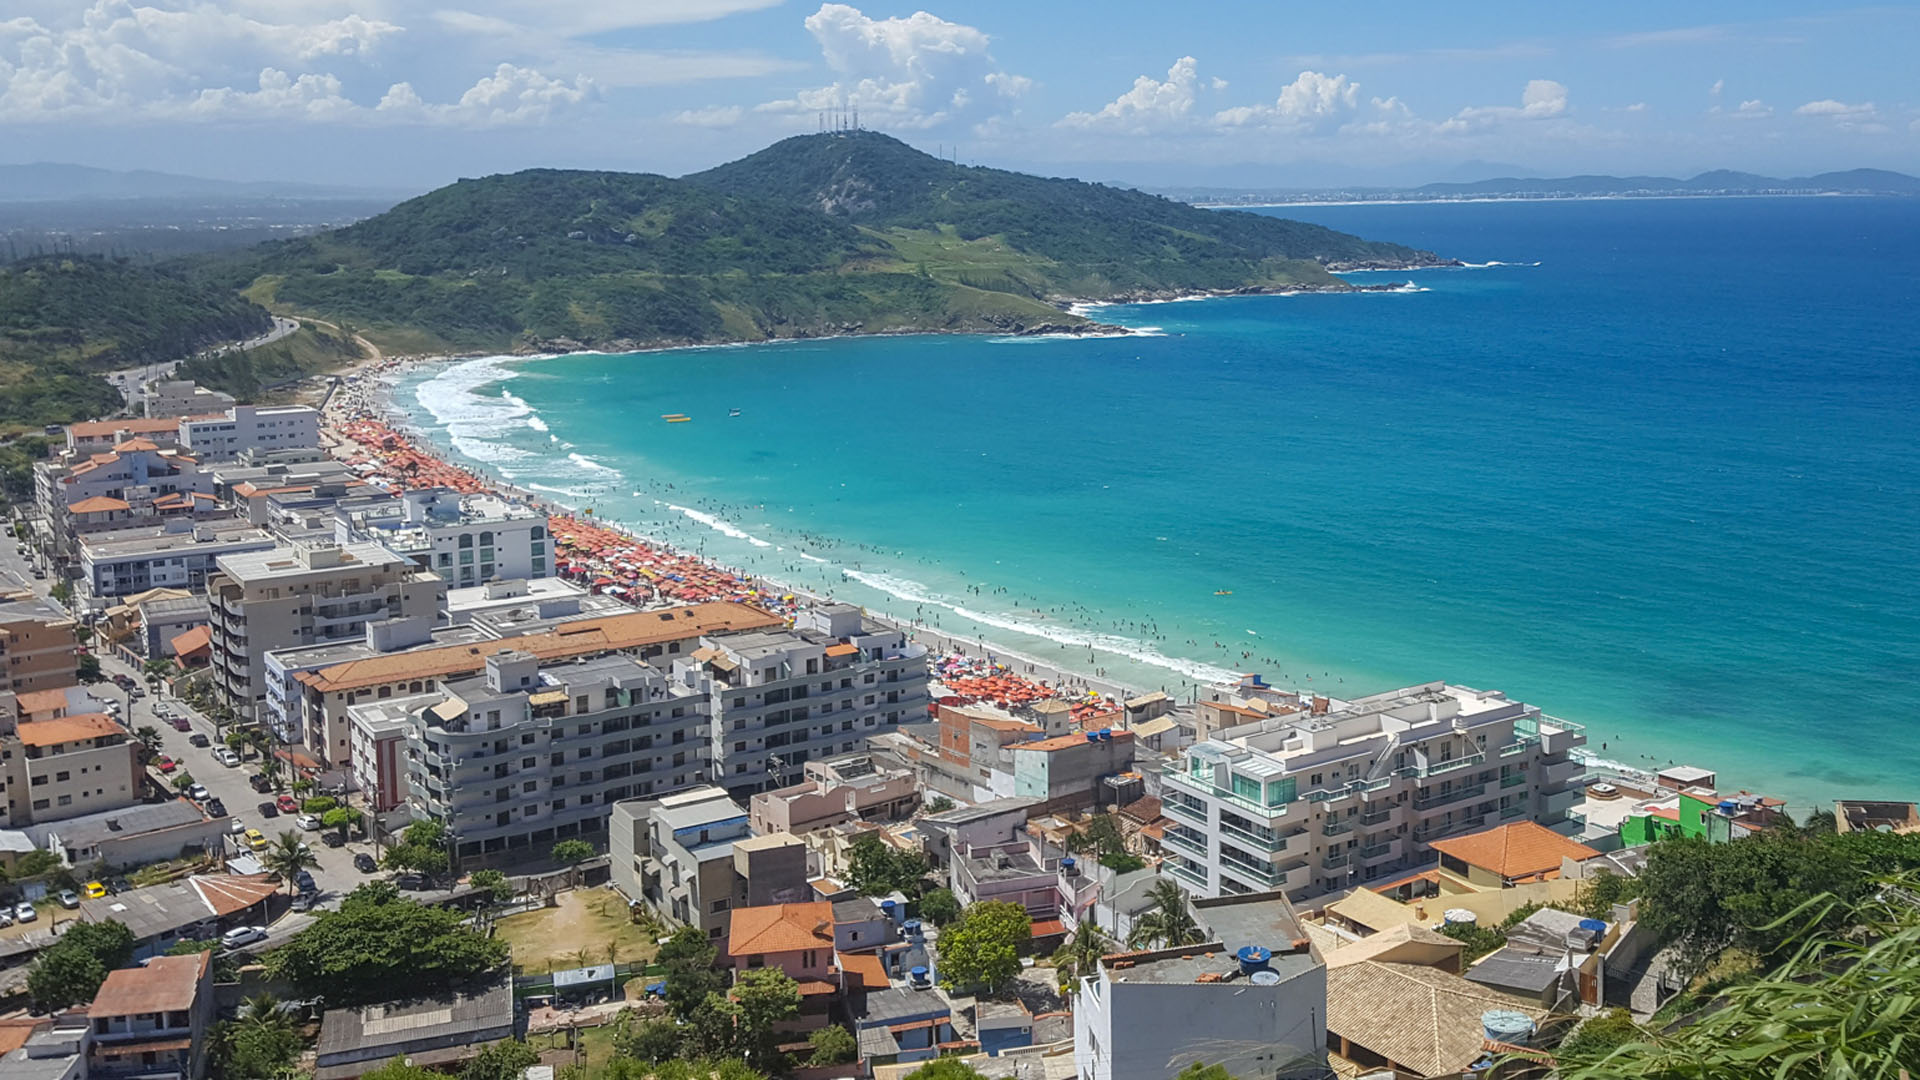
pixel 416 93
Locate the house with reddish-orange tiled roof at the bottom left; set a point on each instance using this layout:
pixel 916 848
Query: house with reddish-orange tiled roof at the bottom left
pixel 153 1021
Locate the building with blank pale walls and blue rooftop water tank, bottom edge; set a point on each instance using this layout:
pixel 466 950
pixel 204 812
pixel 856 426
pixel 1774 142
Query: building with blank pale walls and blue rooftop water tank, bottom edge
pixel 1251 998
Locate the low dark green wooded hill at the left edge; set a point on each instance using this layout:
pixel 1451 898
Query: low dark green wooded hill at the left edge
pixel 66 318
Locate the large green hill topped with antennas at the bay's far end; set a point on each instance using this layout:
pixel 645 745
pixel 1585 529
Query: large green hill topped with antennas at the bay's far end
pixel 828 233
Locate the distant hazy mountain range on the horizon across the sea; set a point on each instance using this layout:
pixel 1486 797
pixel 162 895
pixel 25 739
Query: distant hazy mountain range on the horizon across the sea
pixel 1716 184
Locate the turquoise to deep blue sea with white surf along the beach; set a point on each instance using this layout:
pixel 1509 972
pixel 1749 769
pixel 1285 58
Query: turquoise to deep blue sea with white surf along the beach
pixel 1656 472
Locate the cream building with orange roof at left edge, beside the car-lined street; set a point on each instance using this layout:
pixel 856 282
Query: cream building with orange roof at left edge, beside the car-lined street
pixel 68 768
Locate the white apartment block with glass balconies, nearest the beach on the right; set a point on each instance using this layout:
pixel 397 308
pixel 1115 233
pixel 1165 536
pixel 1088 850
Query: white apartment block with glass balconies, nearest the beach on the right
pixel 1351 791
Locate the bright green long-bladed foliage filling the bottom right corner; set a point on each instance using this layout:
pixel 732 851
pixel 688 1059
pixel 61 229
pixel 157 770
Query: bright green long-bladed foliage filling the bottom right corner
pixel 1846 1004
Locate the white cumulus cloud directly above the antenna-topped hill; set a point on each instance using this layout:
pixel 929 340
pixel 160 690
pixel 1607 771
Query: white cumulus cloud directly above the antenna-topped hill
pixel 905 72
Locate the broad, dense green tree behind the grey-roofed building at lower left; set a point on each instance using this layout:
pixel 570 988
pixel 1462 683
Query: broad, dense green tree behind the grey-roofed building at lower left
pixel 377 943
